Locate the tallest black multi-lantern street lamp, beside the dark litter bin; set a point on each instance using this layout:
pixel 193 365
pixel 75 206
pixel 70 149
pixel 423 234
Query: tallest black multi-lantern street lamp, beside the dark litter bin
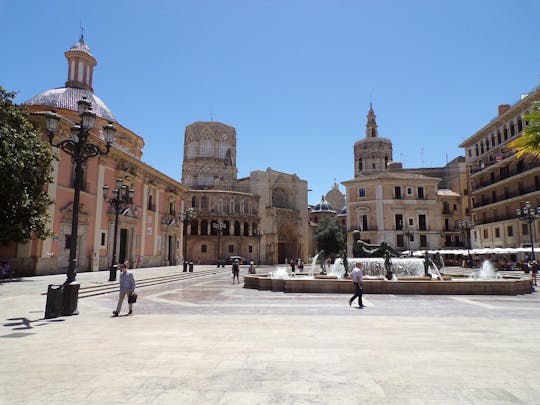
pixel 80 149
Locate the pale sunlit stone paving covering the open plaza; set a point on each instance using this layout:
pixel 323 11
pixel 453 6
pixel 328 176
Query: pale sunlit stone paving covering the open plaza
pixel 203 340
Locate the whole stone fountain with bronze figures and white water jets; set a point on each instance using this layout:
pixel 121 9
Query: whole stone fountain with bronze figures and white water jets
pixel 389 275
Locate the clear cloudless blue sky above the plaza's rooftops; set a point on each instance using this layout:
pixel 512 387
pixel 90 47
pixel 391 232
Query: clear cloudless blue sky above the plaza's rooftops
pixel 294 77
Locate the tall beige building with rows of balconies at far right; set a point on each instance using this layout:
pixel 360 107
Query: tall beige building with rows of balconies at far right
pixel 499 182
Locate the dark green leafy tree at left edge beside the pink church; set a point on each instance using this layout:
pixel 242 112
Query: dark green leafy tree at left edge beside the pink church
pixel 25 170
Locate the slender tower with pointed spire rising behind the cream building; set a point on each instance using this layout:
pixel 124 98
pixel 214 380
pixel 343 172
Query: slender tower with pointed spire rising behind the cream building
pixel 373 153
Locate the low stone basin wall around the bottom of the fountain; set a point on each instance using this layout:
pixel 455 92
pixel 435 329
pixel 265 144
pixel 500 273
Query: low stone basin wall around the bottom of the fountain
pixel 419 286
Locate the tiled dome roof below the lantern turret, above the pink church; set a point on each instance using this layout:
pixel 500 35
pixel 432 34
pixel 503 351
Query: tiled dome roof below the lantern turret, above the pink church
pixel 67 97
